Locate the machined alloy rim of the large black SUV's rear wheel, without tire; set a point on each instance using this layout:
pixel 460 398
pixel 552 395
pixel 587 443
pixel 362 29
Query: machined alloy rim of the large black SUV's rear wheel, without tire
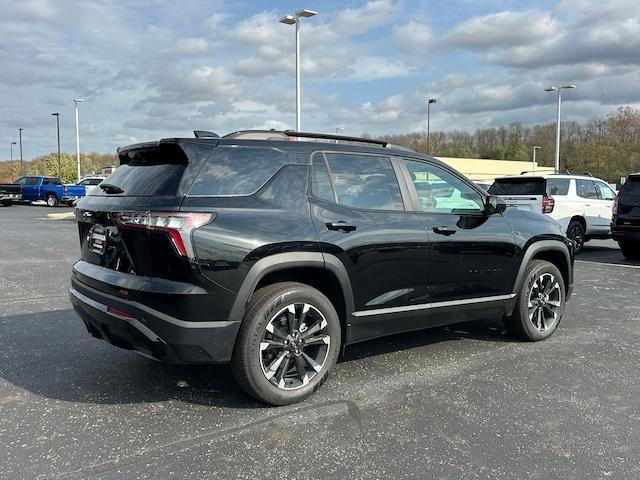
pixel 295 346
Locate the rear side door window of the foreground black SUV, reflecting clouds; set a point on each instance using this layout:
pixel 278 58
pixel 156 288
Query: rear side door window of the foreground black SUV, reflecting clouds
pixel 361 181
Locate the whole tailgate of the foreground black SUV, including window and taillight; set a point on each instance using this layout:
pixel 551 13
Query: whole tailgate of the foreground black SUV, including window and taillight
pixel 131 223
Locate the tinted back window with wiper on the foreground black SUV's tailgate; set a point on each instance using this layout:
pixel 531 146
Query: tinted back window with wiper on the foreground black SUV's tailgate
pixel 153 170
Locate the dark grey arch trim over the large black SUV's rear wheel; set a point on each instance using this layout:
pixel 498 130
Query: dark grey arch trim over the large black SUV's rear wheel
pixel 322 271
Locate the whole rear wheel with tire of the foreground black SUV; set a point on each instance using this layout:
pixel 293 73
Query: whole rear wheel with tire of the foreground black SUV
pixel 273 373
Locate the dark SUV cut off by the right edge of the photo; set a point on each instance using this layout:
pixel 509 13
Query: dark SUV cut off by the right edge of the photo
pixel 625 224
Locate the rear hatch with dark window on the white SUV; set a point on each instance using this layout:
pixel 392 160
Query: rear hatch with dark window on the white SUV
pixel 524 193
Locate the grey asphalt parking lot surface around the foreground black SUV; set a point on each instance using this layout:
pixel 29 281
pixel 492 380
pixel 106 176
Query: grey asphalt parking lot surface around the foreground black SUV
pixel 463 402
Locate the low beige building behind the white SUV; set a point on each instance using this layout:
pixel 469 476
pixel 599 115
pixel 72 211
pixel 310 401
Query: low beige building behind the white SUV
pixel 486 169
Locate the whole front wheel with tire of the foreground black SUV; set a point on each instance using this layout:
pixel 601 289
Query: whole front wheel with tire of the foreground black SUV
pixel 540 278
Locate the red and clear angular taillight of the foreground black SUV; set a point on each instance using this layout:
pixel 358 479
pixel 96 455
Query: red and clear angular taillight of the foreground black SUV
pixel 178 225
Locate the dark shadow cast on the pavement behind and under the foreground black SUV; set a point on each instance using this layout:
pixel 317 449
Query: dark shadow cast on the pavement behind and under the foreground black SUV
pixel 50 354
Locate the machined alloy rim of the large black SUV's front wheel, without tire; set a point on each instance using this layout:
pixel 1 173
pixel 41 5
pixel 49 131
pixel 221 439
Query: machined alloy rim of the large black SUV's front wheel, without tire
pixel 545 300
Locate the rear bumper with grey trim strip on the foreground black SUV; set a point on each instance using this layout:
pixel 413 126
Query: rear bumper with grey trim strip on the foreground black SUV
pixel 152 333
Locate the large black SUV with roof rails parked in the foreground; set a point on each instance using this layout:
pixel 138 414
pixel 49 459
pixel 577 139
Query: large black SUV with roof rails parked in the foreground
pixel 274 254
